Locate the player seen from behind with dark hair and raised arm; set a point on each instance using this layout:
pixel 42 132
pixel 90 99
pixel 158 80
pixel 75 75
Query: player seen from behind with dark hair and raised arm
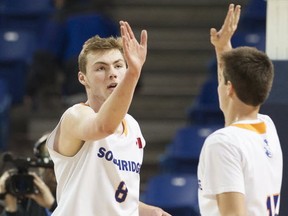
pixel 240 167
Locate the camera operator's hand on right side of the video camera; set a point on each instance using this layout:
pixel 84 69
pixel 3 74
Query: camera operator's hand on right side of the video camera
pixel 43 197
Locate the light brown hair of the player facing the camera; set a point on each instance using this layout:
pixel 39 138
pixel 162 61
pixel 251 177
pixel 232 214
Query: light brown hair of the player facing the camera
pixel 97 44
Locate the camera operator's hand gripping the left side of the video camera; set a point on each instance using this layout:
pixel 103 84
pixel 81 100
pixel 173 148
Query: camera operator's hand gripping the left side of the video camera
pixel 10 201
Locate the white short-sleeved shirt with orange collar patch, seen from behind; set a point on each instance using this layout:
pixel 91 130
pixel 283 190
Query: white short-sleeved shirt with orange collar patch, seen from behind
pixel 245 157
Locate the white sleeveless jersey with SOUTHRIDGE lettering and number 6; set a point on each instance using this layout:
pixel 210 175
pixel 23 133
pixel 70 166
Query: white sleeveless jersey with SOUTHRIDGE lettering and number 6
pixel 102 179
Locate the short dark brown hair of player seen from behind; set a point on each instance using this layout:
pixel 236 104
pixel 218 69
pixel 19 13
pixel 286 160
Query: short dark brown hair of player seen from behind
pixel 251 73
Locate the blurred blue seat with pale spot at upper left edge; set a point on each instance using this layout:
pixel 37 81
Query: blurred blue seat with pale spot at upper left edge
pixel 16 50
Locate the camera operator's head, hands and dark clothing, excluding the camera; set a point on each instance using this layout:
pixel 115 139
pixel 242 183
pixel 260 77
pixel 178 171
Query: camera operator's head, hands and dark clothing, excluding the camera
pixel 40 203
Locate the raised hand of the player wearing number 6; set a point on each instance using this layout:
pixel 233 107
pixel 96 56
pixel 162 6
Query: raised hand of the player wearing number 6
pixel 134 52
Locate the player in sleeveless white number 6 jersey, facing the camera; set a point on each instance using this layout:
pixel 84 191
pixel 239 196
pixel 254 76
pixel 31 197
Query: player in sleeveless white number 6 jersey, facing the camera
pixel 97 148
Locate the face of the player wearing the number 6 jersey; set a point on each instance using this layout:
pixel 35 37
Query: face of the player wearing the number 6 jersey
pixel 104 71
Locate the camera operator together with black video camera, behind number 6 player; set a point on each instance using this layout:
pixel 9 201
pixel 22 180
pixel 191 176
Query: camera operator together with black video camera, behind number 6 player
pixel 21 198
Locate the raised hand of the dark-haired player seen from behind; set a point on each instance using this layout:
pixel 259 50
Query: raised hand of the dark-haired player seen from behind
pixel 222 39
